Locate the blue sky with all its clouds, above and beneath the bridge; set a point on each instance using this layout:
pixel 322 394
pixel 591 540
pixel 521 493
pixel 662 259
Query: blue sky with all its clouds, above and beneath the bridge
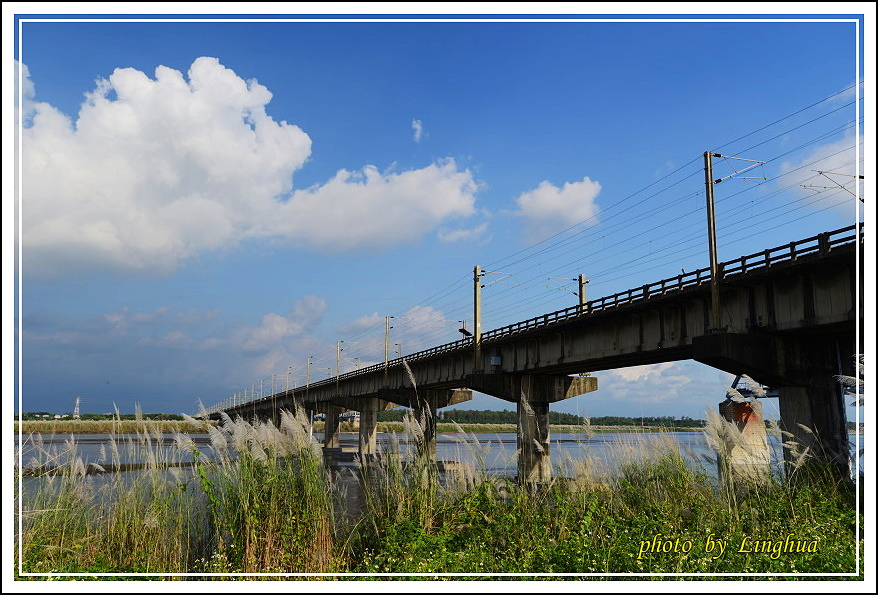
pixel 206 205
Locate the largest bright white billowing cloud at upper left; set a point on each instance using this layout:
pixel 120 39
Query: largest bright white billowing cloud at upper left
pixel 154 171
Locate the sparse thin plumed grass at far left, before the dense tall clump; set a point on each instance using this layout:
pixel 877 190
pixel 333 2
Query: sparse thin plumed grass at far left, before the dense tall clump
pixel 73 522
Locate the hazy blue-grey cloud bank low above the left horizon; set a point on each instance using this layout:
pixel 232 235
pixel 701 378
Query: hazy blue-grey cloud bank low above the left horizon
pixel 164 353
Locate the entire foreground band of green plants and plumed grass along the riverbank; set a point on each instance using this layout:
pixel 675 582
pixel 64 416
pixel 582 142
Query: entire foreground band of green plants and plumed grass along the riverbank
pixel 264 503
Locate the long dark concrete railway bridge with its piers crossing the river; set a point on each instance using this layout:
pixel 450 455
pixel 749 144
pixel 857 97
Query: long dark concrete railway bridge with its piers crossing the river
pixel 788 316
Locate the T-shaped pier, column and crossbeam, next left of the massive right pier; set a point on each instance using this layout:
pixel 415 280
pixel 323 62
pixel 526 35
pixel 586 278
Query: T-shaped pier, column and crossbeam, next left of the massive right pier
pixel 532 394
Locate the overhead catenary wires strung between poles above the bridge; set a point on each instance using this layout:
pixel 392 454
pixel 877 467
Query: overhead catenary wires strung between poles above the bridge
pixel 453 300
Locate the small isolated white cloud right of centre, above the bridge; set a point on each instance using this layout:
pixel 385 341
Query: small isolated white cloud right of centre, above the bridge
pixel 548 209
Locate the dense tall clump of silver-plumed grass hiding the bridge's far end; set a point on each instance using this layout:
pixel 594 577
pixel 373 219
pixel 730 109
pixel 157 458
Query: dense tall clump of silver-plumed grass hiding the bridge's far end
pixel 270 503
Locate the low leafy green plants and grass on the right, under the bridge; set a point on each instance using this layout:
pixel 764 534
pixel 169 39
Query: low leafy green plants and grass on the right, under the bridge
pixel 595 517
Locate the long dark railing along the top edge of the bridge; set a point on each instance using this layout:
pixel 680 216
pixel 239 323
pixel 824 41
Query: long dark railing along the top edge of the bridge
pixel 820 244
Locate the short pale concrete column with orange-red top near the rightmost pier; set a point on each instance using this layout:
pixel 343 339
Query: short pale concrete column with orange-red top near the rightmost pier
pixel 747 456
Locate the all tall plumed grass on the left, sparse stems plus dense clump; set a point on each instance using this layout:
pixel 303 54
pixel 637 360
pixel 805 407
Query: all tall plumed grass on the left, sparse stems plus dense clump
pixel 258 501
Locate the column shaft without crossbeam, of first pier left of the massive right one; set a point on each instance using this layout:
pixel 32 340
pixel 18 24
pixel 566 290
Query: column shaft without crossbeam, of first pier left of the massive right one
pixel 534 465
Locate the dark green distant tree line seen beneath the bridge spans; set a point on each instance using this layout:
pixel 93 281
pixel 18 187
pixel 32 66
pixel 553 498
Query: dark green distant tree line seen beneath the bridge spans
pixel 555 417
